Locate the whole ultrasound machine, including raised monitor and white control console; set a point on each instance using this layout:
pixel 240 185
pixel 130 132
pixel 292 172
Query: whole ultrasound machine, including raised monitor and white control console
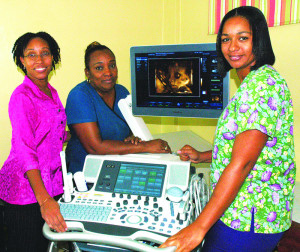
pixel 135 202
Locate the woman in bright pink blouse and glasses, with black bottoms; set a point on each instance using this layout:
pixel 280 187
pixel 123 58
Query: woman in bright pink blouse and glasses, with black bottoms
pixel 31 177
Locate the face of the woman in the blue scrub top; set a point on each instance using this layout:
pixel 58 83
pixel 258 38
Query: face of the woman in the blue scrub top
pixel 103 72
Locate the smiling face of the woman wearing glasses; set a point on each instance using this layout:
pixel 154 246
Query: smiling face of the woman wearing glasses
pixel 37 60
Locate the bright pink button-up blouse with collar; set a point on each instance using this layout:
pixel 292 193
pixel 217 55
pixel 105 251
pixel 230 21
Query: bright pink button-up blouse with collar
pixel 38 133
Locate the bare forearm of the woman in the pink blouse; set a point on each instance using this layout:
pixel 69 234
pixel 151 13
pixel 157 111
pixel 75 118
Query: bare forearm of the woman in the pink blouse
pixel 37 185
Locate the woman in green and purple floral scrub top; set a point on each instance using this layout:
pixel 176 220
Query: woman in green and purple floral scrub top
pixel 253 168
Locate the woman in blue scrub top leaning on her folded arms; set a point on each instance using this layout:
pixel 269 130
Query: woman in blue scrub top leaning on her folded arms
pixel 95 121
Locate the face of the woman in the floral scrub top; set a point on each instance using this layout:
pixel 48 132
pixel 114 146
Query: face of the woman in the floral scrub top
pixel 236 44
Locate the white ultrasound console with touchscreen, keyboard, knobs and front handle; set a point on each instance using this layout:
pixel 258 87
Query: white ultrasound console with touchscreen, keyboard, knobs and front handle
pixel 133 202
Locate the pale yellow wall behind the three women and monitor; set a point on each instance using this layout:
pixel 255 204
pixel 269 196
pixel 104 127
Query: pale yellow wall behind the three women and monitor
pixel 121 24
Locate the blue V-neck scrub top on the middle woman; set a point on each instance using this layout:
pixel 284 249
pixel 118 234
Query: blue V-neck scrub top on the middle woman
pixel 84 104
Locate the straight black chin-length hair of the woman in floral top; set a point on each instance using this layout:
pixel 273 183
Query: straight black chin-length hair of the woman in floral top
pixel 261 42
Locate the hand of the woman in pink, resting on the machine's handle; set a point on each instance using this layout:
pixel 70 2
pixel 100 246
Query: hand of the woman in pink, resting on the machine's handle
pixel 51 214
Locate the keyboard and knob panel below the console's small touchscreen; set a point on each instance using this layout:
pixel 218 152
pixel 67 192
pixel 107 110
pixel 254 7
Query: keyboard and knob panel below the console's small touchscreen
pixel 125 214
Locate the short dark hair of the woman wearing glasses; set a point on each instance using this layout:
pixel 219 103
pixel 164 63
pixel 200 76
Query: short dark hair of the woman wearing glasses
pixel 22 42
